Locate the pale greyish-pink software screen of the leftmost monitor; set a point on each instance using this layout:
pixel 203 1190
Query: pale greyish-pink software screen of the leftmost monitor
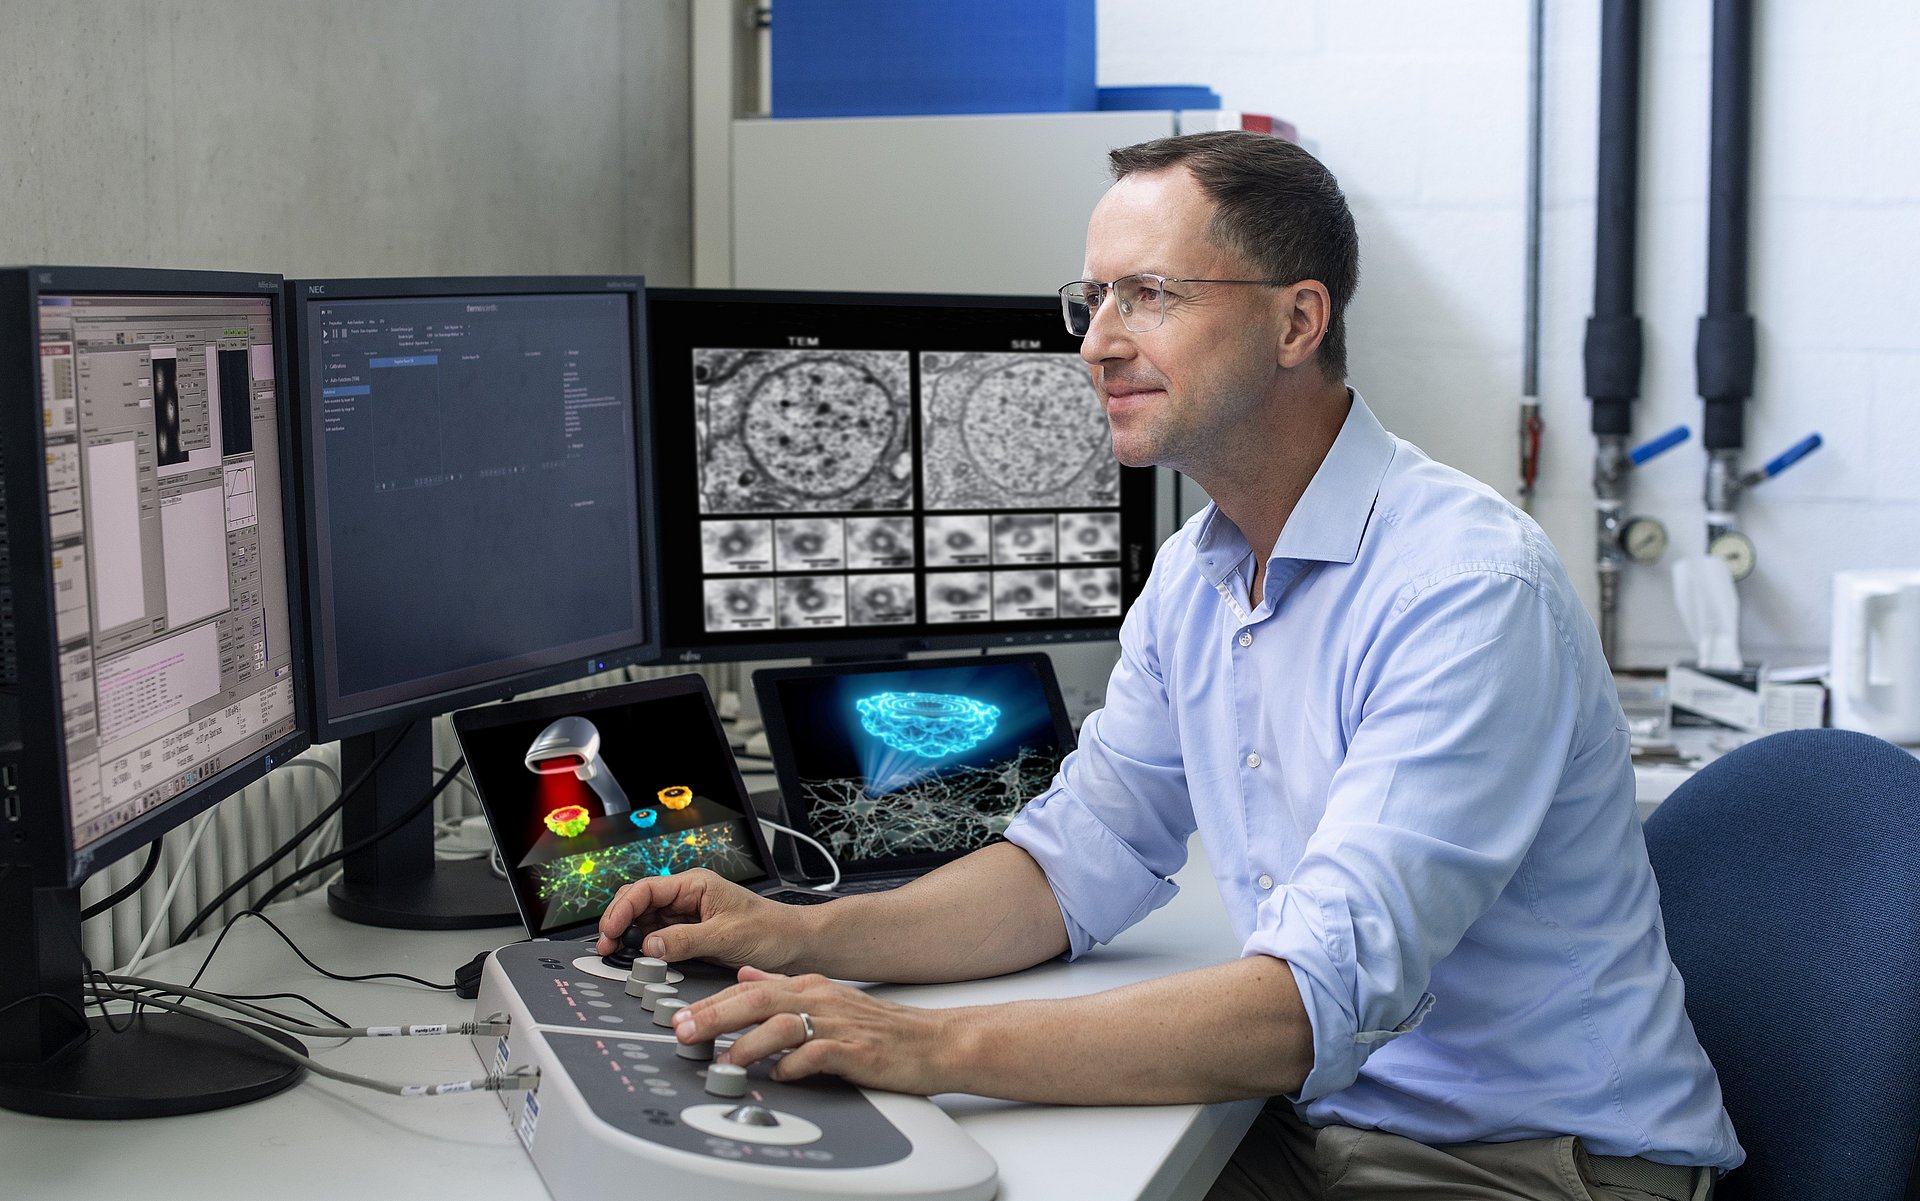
pixel 168 553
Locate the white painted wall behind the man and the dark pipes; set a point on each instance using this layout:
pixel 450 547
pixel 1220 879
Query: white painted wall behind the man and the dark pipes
pixel 1422 112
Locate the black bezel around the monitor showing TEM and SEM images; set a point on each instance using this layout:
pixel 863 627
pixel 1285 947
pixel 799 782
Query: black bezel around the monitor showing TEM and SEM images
pixel 1138 496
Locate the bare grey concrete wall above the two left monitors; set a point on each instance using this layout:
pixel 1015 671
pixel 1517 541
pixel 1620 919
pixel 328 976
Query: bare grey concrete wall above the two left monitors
pixel 347 137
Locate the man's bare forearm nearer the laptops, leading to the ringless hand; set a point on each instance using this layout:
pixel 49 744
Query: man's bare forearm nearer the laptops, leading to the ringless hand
pixel 982 916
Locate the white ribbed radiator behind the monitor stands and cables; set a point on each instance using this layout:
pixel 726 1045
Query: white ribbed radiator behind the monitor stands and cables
pixel 251 826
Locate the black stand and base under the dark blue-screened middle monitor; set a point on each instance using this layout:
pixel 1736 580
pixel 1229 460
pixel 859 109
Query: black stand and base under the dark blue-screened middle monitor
pixel 396 883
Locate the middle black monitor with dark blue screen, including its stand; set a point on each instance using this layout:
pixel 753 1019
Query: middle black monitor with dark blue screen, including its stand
pixel 473 479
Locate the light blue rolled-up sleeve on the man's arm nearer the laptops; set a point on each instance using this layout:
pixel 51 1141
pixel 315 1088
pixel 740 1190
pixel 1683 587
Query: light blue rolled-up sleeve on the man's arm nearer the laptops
pixel 1113 828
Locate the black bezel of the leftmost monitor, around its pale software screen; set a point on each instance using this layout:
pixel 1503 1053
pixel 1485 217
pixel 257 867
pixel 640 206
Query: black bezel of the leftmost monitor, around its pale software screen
pixel 49 853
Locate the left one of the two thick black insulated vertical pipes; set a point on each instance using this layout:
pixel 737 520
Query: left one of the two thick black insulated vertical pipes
pixel 1614 348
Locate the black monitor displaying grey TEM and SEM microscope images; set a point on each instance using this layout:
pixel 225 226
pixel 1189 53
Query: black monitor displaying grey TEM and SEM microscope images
pixel 867 475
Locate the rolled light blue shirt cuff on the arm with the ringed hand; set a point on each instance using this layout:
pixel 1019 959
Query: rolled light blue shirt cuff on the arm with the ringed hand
pixel 1314 933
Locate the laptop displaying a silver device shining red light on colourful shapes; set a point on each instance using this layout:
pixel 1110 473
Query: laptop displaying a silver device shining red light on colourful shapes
pixel 588 791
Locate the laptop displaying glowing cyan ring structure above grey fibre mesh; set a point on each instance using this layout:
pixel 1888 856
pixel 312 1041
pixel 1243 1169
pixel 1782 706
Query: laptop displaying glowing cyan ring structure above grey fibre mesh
pixel 903 766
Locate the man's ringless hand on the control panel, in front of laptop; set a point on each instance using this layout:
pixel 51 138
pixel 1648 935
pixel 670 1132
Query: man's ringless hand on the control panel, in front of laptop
pixel 700 916
